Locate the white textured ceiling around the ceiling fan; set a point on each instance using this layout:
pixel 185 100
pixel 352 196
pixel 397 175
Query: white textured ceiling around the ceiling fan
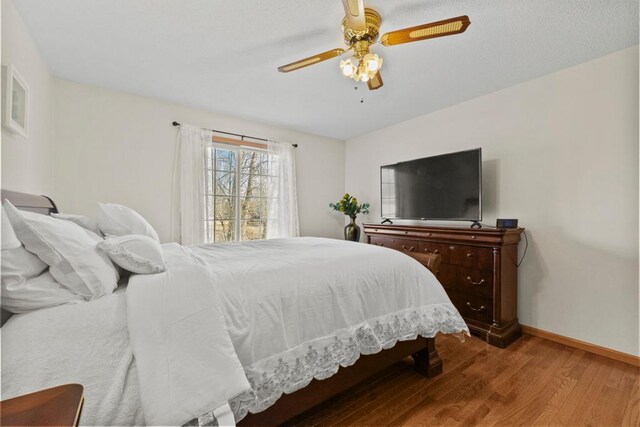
pixel 222 55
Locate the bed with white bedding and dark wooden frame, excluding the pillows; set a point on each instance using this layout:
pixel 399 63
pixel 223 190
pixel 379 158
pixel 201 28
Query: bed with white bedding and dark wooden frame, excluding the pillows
pixel 303 320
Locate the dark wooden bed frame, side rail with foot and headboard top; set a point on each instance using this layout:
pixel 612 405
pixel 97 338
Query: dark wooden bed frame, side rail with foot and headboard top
pixel 289 406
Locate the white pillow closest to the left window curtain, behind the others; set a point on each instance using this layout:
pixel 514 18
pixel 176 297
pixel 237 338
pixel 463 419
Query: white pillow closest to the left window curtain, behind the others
pixel 119 220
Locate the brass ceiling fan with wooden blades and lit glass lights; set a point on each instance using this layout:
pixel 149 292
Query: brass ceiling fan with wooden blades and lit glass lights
pixel 360 27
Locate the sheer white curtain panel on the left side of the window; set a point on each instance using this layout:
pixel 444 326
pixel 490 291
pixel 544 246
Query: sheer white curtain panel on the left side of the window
pixel 189 185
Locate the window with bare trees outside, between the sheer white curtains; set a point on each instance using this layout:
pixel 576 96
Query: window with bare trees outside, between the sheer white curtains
pixel 237 193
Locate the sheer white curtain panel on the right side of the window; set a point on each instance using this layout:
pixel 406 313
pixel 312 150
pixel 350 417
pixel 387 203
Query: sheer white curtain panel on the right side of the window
pixel 282 205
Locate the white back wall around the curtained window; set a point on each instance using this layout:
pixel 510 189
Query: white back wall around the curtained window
pixel 116 147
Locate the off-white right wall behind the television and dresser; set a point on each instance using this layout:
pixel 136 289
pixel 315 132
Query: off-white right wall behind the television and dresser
pixel 561 154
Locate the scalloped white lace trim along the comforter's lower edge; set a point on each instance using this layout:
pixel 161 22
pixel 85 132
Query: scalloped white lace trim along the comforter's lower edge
pixel 321 358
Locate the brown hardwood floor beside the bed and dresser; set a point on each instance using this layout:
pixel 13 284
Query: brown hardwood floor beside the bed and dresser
pixel 533 382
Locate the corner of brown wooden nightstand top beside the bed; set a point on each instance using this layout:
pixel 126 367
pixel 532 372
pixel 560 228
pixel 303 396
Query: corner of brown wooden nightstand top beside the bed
pixel 57 406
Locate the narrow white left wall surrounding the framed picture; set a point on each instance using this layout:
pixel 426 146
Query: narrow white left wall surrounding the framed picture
pixel 26 162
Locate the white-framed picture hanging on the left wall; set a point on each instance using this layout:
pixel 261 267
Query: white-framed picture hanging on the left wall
pixel 16 107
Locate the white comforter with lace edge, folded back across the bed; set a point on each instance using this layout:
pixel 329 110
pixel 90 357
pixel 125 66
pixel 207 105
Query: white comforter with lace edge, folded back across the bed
pixel 294 310
